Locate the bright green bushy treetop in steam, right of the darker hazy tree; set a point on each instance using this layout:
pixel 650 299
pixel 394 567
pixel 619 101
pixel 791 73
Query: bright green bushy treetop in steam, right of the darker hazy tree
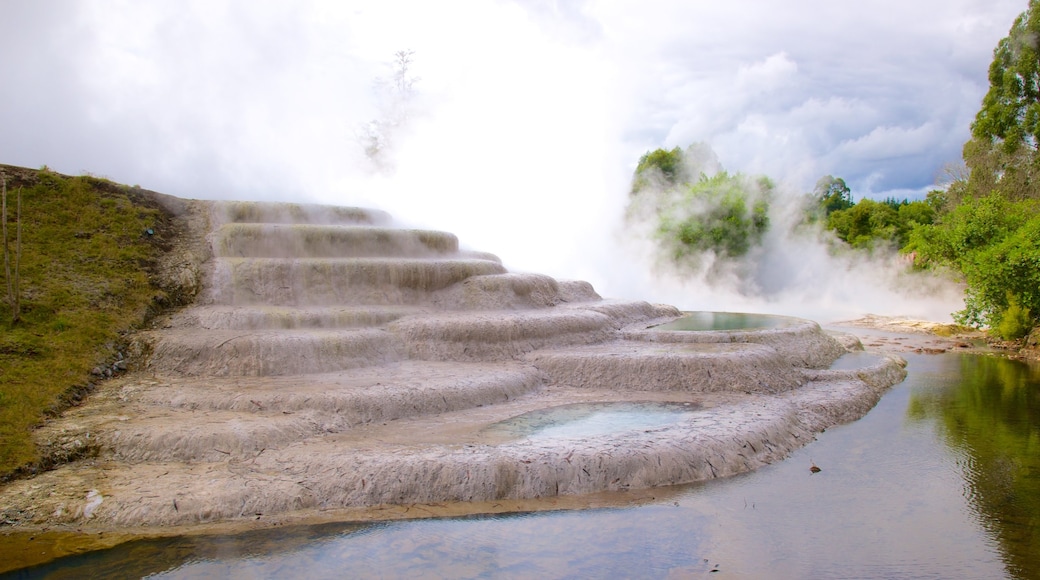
pixel 724 215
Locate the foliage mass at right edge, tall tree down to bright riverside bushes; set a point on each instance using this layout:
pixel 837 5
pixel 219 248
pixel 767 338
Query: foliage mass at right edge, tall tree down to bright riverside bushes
pixel 989 225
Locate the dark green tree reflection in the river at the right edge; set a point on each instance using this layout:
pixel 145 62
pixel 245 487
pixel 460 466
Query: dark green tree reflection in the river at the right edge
pixel 993 418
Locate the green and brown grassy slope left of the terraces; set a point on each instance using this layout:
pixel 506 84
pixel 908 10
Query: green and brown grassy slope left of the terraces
pixel 85 282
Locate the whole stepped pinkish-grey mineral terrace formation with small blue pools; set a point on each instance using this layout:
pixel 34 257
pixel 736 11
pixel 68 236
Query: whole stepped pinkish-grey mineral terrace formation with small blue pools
pixel 333 361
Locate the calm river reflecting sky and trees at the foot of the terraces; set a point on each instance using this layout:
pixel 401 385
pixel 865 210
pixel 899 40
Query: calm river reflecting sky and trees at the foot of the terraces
pixel 941 481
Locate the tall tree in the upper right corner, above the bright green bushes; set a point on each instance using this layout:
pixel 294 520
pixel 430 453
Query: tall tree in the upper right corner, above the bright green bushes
pixel 1003 152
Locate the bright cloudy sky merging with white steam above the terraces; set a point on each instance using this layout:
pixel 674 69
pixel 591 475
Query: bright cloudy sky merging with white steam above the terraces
pixel 526 119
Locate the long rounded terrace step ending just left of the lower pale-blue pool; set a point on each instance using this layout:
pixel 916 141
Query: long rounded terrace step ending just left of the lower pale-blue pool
pixel 217 419
